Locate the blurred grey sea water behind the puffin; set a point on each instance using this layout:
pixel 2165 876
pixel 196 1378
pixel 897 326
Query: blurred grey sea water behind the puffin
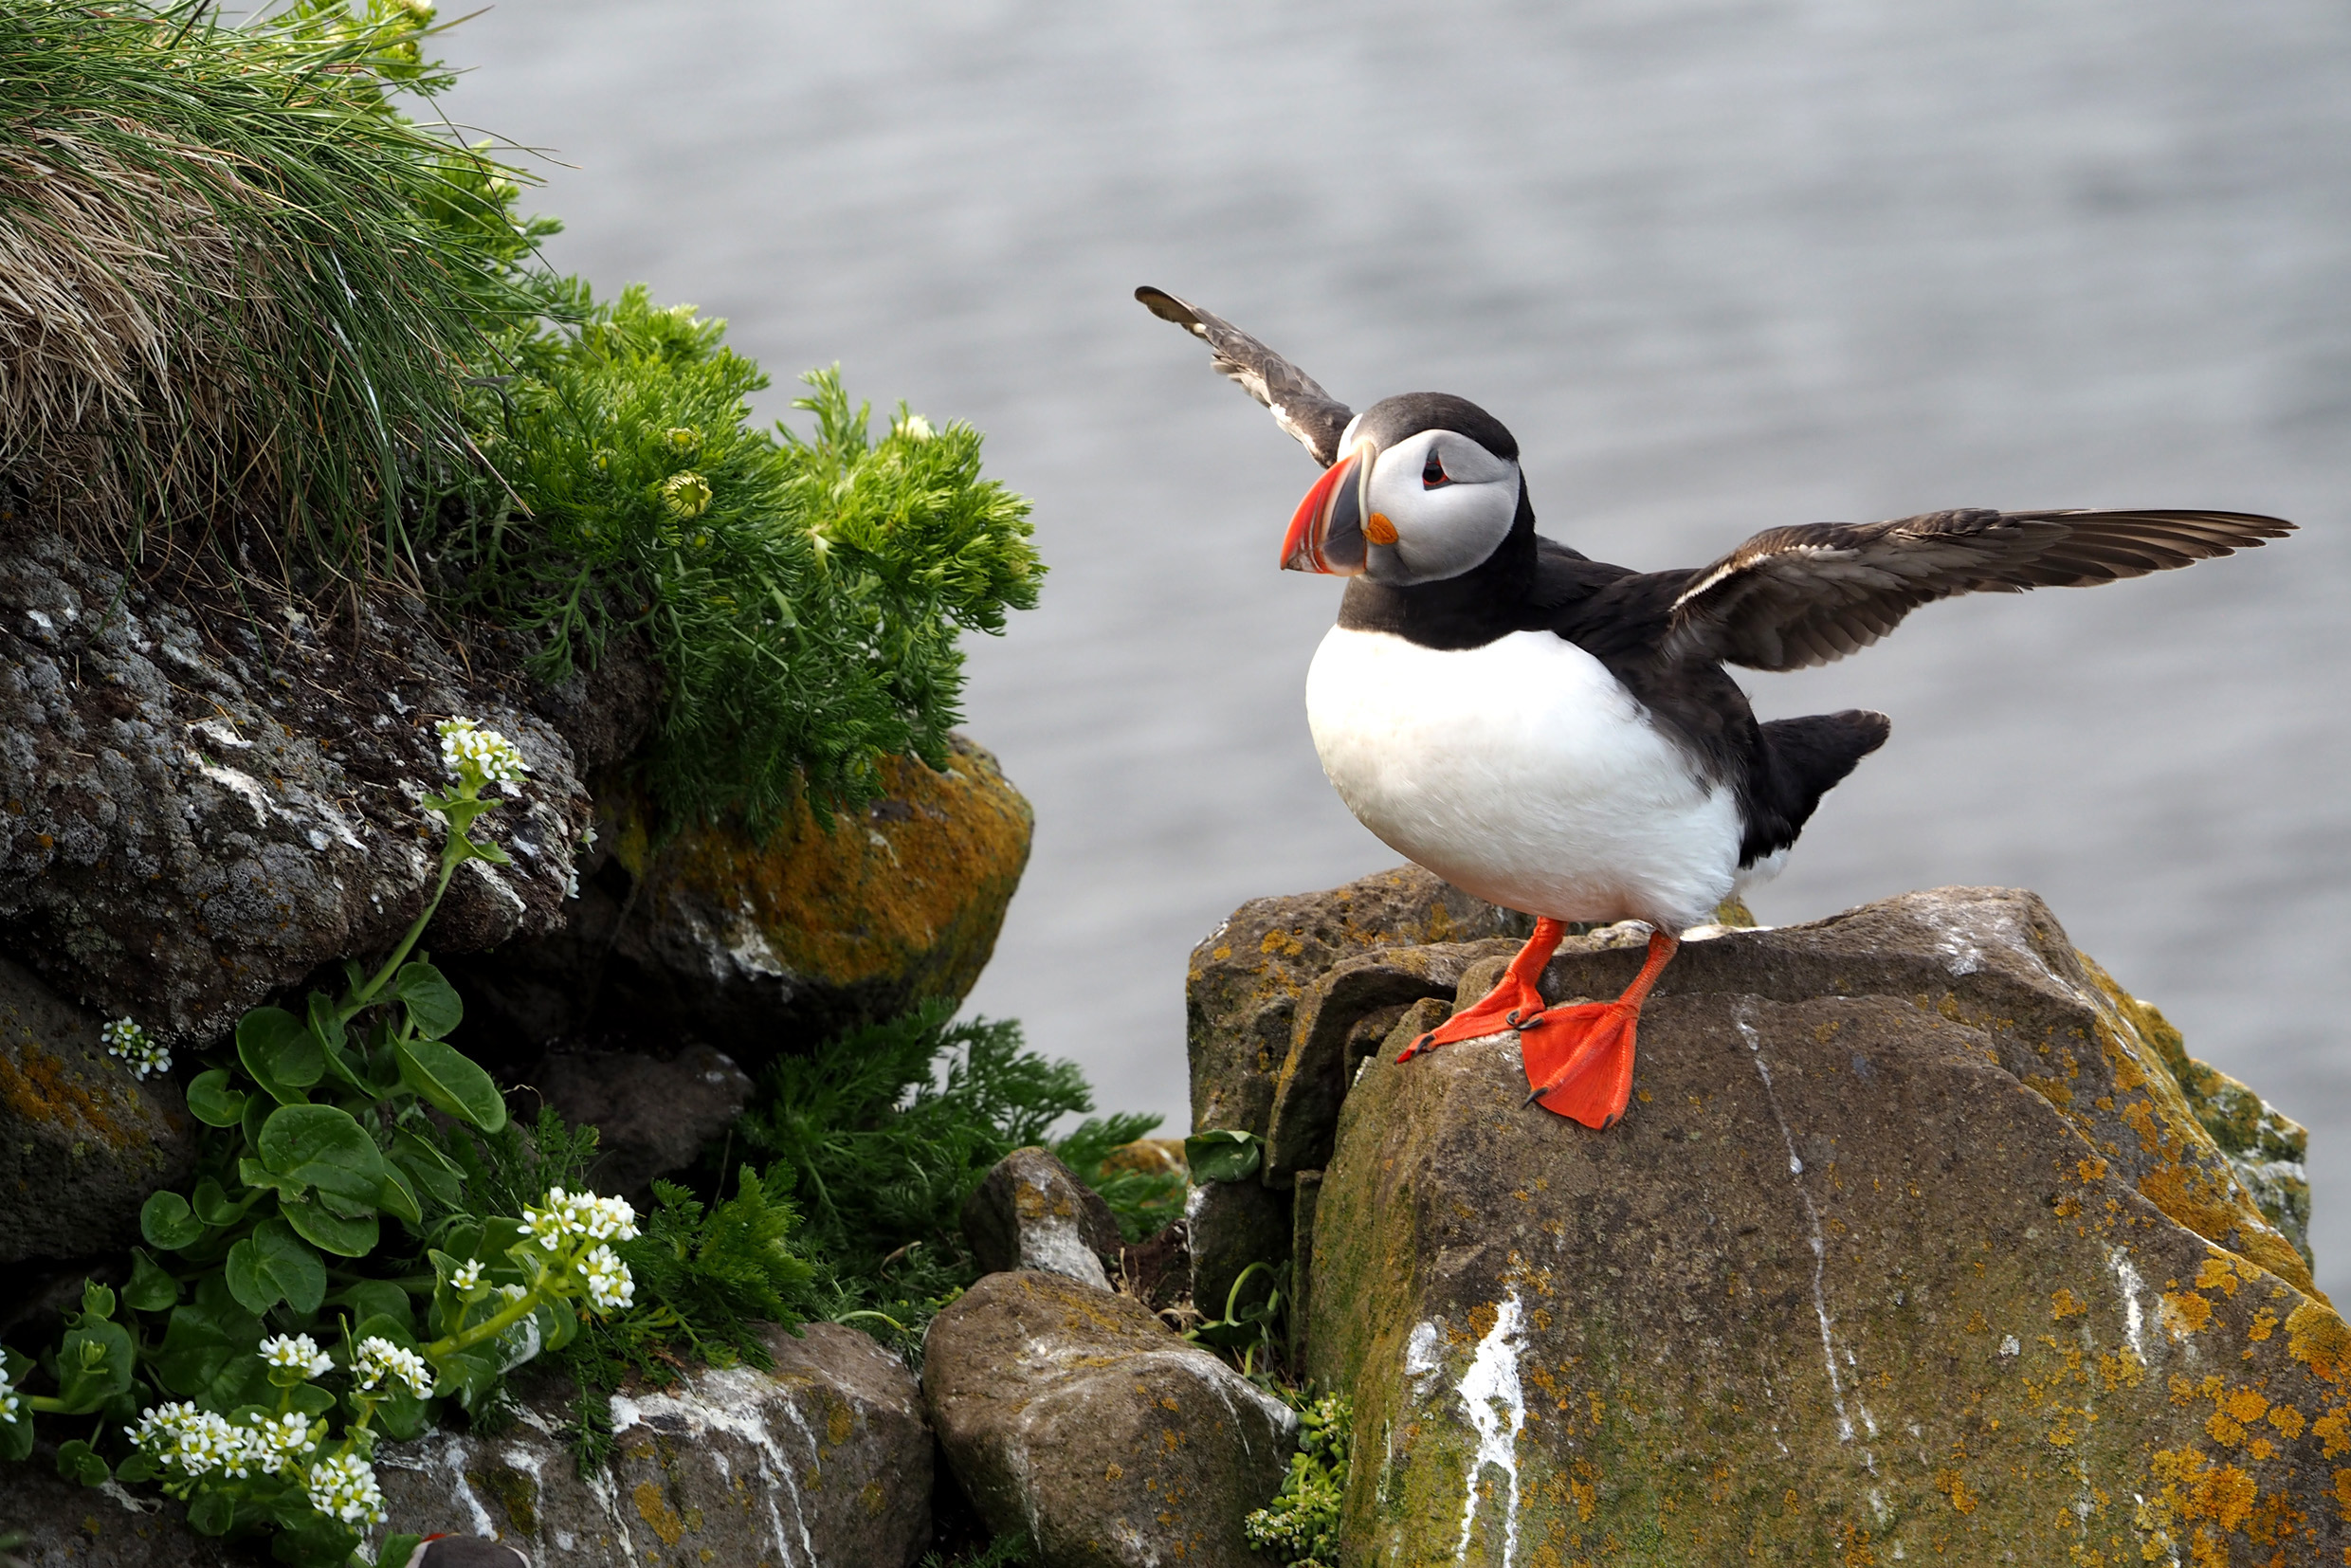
pixel 1720 264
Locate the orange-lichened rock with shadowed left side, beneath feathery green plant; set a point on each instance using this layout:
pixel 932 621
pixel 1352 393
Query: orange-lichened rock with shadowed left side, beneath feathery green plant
pixel 770 949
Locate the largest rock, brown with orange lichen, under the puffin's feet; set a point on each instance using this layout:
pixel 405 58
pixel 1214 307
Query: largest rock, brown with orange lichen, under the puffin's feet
pixel 1908 1247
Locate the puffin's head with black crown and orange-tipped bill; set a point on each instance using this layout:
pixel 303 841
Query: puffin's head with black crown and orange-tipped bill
pixel 1424 488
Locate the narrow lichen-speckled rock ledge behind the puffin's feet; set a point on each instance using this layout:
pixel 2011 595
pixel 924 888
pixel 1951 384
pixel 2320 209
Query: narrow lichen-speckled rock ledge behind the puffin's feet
pixel 1247 977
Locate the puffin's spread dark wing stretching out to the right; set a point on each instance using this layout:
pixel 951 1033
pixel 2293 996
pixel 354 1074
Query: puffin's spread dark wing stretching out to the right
pixel 1795 598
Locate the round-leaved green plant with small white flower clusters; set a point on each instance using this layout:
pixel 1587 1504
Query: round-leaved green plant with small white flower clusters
pixel 321 1134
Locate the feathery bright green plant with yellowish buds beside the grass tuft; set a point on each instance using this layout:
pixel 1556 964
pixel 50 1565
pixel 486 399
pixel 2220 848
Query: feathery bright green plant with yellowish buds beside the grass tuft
pixel 801 596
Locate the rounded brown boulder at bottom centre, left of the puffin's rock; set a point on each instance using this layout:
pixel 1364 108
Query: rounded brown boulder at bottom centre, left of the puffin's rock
pixel 1087 1426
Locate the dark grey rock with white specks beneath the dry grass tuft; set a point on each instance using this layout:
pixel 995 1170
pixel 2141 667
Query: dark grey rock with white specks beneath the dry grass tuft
pixel 206 800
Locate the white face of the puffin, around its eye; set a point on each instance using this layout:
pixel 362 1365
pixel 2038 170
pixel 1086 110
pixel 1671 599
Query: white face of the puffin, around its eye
pixel 1449 502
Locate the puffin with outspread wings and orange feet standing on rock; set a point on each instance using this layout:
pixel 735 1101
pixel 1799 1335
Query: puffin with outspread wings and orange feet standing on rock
pixel 1560 737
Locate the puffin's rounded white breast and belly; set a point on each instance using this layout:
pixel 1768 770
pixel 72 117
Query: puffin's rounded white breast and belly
pixel 1522 772
